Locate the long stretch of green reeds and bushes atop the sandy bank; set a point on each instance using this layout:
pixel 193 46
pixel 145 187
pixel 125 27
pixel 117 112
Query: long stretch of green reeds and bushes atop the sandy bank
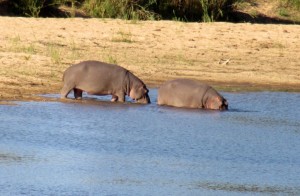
pixel 181 10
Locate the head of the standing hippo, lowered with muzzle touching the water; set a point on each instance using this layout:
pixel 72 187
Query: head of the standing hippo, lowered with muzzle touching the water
pixel 139 93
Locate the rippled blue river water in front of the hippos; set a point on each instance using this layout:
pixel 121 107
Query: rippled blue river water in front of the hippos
pixel 102 148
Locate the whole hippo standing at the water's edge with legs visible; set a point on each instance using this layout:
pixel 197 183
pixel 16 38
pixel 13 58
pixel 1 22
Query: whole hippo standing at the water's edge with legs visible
pixel 98 78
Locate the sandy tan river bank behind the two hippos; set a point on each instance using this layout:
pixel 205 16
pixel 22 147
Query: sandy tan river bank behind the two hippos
pixel 34 52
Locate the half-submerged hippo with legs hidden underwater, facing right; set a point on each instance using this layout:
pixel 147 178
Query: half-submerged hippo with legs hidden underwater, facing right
pixel 190 94
